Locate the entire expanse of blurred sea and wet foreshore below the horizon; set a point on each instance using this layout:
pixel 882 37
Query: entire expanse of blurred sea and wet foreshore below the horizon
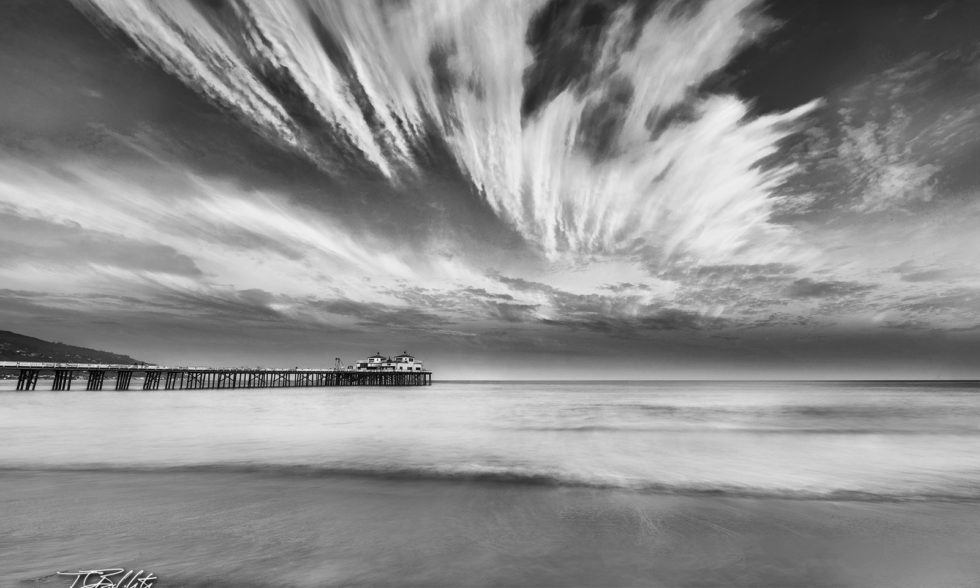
pixel 497 484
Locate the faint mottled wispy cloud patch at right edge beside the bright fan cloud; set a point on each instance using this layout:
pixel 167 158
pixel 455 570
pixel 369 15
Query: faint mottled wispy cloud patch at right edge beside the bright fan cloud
pixel 895 142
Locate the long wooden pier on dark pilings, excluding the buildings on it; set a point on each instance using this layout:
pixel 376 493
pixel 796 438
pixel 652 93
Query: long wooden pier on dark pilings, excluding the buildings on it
pixel 206 378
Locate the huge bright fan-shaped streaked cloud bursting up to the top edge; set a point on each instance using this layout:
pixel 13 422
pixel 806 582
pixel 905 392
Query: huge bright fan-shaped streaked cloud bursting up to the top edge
pixel 590 160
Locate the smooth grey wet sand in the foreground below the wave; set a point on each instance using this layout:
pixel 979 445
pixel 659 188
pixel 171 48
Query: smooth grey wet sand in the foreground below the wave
pixel 257 529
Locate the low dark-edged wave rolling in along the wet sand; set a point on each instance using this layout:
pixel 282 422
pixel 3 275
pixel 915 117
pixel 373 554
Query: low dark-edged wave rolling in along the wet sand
pixel 514 476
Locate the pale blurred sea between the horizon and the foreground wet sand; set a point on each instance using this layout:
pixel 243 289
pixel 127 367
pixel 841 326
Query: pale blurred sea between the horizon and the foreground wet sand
pixel 807 439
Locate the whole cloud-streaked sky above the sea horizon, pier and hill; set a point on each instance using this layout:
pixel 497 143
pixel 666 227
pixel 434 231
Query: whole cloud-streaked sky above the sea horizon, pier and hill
pixel 596 189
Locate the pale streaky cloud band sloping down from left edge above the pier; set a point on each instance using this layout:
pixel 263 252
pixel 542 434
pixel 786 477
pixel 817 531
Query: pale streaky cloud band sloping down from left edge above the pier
pixel 217 227
